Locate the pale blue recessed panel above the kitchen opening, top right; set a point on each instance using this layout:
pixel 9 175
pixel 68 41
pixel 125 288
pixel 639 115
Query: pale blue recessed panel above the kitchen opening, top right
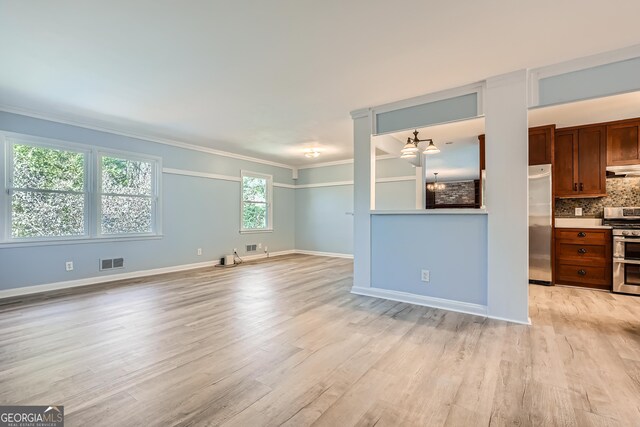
pixel 602 80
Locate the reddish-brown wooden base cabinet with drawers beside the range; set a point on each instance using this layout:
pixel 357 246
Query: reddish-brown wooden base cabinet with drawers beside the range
pixel 583 257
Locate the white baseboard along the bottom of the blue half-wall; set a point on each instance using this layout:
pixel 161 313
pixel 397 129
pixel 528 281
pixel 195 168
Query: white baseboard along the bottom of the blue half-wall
pixel 446 304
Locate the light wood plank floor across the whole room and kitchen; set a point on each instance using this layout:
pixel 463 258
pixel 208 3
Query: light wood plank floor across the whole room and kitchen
pixel 283 342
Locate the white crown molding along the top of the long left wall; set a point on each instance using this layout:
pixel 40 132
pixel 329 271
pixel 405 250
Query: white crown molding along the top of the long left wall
pixel 112 128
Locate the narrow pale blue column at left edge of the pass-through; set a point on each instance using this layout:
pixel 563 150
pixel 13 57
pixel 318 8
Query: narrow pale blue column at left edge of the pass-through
pixel 364 173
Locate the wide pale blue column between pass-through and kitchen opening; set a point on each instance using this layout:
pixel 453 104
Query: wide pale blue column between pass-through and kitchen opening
pixel 507 196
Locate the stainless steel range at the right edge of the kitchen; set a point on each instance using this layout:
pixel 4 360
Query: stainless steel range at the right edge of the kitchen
pixel 626 248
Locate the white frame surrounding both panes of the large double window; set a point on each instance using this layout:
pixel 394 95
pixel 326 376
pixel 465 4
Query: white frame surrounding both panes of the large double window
pixel 92 175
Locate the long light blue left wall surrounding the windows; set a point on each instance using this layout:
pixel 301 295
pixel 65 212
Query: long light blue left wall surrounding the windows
pixel 200 210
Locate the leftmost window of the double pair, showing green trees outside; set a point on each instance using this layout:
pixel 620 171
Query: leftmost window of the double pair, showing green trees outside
pixel 48 192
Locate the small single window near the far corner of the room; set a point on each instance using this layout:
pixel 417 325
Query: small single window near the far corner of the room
pixel 256 212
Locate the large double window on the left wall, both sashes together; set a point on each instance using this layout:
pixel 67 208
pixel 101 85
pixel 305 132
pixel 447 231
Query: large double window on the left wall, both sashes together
pixel 57 190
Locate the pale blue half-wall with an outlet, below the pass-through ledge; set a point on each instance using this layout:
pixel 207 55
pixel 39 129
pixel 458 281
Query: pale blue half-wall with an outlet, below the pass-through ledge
pixel 452 247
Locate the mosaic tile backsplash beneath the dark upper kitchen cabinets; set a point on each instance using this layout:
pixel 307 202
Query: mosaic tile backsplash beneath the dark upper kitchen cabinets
pixel 620 192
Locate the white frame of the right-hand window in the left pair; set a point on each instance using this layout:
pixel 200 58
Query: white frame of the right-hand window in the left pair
pixel 156 164
